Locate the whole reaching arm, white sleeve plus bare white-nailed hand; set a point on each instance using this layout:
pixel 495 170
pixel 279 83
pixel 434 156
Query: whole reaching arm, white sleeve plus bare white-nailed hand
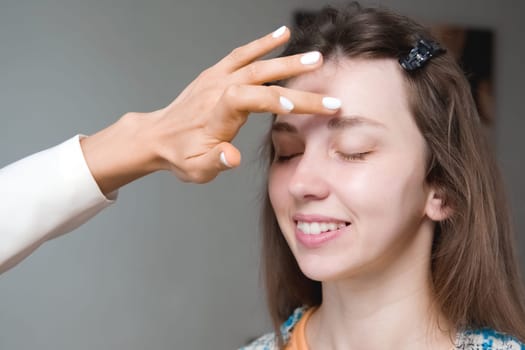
pixel 49 193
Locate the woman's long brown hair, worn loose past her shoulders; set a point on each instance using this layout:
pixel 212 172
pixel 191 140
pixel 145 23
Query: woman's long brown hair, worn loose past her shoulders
pixel 474 271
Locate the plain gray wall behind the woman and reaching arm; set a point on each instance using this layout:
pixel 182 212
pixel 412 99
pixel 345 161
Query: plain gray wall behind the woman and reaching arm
pixel 170 266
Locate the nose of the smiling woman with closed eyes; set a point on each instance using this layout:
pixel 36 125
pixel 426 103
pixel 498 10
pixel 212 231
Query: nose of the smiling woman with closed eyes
pixel 308 179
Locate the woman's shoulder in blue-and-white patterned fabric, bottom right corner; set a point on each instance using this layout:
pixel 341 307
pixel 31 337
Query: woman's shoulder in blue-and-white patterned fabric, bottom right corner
pixel 487 338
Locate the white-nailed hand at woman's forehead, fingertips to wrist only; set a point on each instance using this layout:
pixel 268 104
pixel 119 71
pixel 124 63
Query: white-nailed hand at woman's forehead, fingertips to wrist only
pixel 212 109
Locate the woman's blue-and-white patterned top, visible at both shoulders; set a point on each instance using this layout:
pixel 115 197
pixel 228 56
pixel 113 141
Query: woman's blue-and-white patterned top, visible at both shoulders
pixel 482 339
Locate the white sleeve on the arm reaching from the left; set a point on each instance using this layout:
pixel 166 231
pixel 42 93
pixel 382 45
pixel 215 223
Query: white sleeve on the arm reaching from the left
pixel 43 196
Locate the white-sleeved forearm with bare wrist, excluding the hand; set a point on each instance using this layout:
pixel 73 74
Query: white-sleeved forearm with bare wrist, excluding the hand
pixel 54 191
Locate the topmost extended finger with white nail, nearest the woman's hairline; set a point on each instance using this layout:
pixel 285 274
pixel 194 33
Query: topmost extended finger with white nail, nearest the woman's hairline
pixel 246 54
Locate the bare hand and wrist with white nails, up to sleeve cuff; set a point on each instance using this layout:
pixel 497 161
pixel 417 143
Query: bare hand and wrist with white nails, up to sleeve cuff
pixel 191 136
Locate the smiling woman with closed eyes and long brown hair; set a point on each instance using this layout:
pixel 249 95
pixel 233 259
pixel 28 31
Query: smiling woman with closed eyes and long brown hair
pixel 386 226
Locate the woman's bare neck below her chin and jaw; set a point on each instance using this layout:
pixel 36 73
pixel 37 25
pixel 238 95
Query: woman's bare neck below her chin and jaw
pixel 392 310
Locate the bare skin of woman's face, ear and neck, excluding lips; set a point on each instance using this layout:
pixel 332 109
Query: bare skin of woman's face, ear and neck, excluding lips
pixel 376 273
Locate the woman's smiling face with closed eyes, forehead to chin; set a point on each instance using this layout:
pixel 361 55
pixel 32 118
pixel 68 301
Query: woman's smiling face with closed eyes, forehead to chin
pixel 349 191
